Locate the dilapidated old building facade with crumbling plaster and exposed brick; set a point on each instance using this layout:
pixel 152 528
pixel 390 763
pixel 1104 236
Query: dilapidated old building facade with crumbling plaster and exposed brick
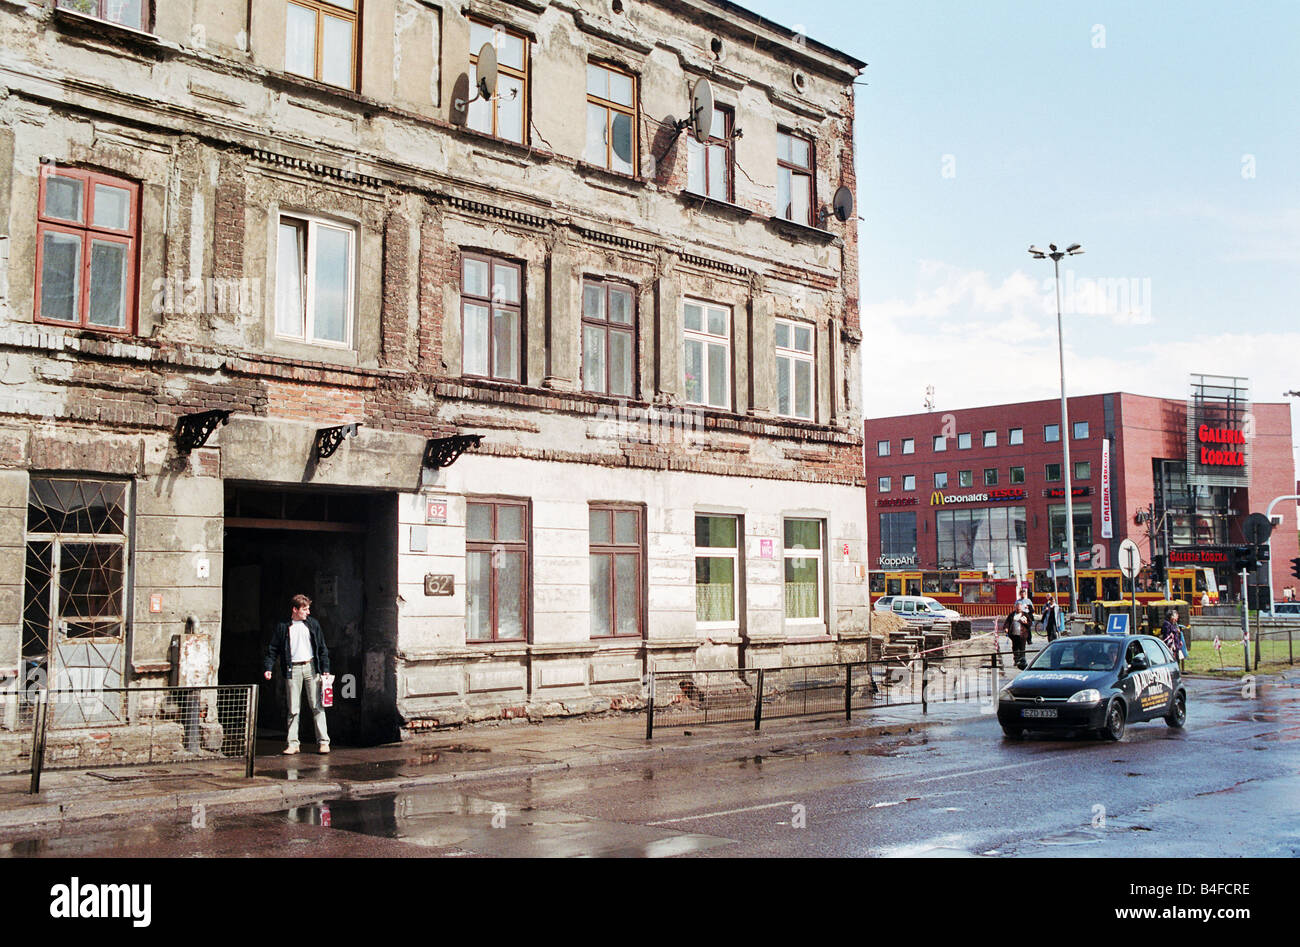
pixel 528 392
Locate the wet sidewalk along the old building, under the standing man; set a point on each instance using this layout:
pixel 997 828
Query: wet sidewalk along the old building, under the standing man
pixel 475 753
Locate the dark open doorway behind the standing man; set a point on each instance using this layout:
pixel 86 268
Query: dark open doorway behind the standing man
pixel 339 550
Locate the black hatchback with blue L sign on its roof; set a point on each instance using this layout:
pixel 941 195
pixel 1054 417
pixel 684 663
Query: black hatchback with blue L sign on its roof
pixel 1099 684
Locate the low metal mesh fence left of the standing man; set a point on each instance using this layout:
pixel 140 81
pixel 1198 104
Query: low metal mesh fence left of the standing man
pixel 76 729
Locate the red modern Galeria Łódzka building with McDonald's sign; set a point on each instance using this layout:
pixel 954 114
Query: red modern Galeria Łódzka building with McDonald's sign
pixel 963 491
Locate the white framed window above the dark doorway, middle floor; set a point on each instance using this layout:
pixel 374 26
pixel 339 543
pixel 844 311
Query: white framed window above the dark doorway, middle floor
pixel 315 280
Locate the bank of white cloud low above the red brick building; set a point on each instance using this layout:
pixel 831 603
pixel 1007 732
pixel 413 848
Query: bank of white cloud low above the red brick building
pixel 982 344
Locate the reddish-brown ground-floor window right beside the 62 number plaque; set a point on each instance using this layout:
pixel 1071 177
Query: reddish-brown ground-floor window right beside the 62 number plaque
pixel 497 554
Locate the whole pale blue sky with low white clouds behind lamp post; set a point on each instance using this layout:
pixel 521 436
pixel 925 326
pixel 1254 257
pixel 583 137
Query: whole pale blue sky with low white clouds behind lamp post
pixel 1165 137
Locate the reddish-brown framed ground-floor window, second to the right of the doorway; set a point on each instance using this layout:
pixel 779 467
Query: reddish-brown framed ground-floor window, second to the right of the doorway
pixel 617 557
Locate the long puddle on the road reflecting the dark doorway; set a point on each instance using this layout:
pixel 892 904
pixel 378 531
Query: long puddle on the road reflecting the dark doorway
pixel 483 827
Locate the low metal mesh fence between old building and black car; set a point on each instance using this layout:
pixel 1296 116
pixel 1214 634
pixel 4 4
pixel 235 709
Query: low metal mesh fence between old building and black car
pixel 700 698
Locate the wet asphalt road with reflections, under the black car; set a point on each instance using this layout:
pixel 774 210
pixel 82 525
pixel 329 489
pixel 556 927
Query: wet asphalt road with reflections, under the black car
pixel 1225 786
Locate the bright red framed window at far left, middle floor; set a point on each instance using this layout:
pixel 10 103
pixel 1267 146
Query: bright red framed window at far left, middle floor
pixel 86 249
